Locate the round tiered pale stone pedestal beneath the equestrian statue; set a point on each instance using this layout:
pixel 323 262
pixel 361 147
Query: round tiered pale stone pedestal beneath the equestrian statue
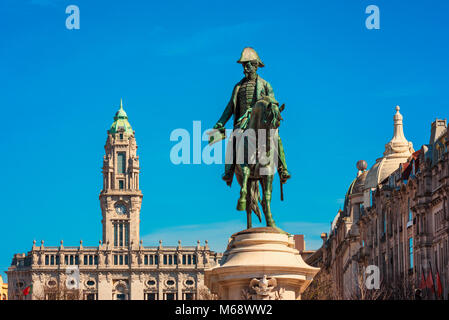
pixel 260 264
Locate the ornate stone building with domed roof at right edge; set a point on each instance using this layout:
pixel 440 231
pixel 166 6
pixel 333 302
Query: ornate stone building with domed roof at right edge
pixel 395 217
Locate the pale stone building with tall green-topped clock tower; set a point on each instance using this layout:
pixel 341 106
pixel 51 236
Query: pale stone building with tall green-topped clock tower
pixel 120 267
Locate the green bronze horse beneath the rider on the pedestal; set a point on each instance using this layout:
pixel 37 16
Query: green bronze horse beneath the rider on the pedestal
pixel 257 143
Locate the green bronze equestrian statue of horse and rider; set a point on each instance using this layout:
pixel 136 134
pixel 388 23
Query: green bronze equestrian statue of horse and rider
pixel 254 107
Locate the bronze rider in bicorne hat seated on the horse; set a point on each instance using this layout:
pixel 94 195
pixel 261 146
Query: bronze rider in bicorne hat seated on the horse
pixel 244 96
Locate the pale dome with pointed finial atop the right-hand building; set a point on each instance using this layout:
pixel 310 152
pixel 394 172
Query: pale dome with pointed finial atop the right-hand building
pixel 397 151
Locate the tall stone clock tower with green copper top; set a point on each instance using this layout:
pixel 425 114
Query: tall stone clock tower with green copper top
pixel 121 198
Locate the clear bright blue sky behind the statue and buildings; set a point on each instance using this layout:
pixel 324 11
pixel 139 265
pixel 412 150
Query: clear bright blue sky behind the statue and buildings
pixel 174 62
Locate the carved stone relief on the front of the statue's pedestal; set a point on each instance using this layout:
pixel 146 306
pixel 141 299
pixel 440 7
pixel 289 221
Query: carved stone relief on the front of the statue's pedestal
pixel 263 289
